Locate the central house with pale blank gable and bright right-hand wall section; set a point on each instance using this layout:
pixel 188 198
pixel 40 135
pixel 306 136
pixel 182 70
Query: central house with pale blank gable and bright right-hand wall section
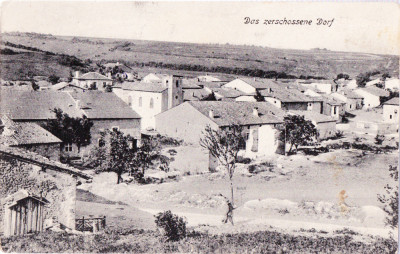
pixel 260 121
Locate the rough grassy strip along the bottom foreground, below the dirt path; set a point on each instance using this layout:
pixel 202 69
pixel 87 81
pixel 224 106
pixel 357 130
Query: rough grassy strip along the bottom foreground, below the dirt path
pixel 141 241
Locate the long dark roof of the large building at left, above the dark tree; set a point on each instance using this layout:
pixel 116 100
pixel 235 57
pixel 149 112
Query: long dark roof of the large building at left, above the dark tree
pixel 24 105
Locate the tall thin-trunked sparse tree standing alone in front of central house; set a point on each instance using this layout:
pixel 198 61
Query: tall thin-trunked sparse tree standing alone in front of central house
pixel 224 144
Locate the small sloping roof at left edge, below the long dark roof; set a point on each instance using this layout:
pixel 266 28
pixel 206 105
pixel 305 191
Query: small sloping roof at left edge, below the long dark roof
pixel 24 133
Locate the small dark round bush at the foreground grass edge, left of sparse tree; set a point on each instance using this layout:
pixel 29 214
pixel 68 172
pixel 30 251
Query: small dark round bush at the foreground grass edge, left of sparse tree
pixel 174 226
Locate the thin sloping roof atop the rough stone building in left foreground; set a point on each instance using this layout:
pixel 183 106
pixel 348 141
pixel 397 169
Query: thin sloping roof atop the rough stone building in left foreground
pixel 36 159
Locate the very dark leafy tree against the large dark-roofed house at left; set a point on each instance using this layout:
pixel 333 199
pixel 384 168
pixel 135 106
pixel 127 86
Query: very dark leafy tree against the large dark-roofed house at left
pixel 70 129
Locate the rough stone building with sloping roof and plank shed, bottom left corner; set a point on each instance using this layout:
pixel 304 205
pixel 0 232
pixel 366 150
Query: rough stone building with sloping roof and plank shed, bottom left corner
pixel 36 193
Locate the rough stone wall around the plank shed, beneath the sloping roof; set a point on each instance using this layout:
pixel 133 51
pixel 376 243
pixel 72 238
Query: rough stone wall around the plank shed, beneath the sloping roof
pixel 58 188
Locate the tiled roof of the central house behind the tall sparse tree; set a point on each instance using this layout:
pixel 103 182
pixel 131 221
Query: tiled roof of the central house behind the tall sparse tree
pixel 235 112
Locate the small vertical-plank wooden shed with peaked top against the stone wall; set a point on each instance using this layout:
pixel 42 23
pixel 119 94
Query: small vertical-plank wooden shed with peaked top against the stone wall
pixel 24 213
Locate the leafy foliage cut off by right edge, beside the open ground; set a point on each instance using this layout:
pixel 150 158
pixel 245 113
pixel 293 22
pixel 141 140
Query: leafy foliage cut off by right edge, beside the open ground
pixel 391 199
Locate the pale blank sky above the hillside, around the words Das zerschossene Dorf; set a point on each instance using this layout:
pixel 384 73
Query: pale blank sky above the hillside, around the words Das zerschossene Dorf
pixel 360 27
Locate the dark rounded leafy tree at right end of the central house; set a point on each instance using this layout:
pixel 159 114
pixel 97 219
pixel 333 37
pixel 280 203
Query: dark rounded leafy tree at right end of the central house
pixel 297 131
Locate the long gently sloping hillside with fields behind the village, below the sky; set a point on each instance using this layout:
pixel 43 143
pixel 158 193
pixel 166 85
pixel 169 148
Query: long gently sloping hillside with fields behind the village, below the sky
pixel 316 62
